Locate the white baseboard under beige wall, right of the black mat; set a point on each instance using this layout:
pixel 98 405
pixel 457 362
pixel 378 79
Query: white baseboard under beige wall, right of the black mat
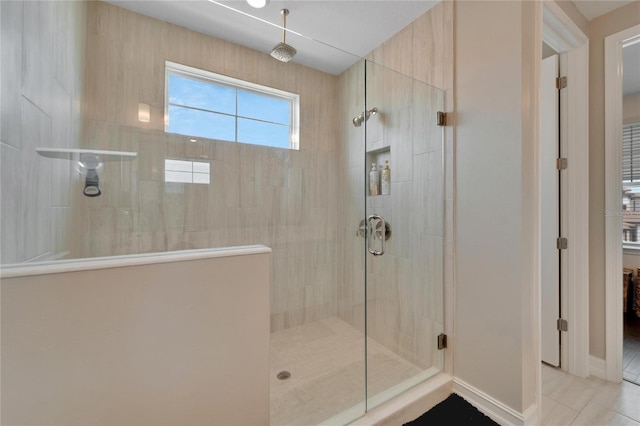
pixel 499 412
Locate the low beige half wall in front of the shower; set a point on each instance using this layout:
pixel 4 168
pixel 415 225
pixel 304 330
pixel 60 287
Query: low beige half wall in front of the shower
pixel 152 340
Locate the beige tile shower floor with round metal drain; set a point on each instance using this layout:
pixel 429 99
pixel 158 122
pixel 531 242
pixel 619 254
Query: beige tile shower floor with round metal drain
pixel 325 359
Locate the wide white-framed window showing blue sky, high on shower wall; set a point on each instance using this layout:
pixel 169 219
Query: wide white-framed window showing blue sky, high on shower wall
pixel 213 106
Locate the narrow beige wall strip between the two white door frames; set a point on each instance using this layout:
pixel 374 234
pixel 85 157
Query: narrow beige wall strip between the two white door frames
pixel 600 27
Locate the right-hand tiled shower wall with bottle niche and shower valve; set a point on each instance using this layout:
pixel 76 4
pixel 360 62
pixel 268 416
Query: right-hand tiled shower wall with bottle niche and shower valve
pixel 405 286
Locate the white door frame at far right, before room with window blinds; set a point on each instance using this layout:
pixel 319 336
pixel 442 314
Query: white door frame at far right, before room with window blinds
pixel 613 199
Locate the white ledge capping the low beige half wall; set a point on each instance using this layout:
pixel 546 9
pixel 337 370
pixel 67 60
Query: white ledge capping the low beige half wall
pixel 56 267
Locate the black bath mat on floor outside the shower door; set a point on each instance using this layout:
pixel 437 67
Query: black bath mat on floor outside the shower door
pixel 454 410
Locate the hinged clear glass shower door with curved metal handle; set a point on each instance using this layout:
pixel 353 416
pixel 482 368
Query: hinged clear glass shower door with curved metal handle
pixel 404 213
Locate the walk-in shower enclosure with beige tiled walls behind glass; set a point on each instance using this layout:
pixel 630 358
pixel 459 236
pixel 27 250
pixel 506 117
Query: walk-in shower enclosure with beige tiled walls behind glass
pixel 357 275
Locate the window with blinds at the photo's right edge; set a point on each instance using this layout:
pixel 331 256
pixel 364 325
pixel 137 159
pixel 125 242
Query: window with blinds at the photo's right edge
pixel 631 185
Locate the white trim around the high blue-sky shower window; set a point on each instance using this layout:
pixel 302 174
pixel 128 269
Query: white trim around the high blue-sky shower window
pixel 210 77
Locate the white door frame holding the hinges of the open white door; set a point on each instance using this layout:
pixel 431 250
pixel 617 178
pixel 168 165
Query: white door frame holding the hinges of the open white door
pixel 566 38
